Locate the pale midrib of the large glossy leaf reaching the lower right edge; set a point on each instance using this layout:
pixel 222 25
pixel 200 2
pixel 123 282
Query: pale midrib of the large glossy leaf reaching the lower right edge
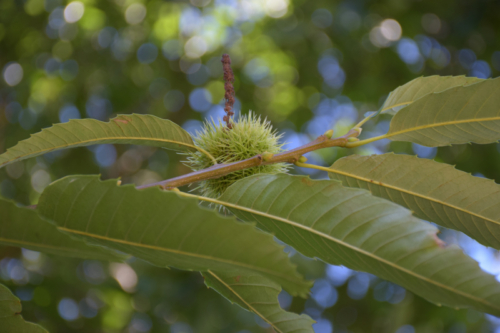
pixel 369 254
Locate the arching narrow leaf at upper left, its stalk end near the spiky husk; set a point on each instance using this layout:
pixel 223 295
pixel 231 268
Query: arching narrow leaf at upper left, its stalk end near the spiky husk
pixel 125 129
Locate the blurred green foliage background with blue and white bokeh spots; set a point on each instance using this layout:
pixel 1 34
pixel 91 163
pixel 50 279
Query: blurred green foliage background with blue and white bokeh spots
pixel 306 66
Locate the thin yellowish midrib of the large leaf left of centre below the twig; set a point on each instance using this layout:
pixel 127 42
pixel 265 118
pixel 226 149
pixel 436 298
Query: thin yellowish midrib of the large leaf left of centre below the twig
pixel 189 254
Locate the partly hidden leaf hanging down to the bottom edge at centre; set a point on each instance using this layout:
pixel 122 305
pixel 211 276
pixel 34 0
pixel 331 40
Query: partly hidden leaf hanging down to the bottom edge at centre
pixel 259 295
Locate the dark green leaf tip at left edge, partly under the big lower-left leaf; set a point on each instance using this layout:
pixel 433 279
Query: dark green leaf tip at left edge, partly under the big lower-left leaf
pixel 23 227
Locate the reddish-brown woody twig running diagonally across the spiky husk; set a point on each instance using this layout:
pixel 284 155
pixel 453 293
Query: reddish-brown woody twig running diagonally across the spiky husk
pixel 291 156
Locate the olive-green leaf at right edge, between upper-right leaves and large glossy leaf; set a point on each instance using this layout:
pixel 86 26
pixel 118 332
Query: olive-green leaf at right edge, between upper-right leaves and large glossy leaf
pixel 434 191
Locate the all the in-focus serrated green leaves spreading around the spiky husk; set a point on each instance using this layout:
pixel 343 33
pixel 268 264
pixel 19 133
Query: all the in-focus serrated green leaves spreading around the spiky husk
pixel 335 220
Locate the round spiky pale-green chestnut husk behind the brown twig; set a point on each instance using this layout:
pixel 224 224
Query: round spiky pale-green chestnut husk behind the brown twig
pixel 249 136
